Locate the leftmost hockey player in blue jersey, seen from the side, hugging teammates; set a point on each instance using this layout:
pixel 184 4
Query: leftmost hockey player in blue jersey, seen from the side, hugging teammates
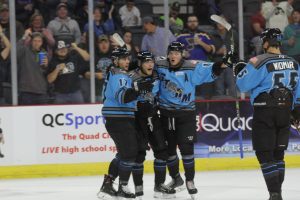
pixel 119 105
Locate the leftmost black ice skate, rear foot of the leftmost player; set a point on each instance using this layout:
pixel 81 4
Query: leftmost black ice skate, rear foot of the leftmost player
pixel 107 191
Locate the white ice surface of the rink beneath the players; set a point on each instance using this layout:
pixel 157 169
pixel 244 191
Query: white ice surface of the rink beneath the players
pixel 220 185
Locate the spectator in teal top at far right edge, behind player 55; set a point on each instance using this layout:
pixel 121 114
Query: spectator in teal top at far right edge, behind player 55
pixel 291 36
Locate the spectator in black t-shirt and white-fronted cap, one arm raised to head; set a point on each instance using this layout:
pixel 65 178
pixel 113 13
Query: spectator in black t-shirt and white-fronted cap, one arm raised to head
pixel 65 70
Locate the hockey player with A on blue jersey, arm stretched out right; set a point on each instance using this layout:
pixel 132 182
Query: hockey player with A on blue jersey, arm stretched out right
pixel 179 78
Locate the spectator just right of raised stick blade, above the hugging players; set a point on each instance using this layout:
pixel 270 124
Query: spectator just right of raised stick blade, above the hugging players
pixel 133 49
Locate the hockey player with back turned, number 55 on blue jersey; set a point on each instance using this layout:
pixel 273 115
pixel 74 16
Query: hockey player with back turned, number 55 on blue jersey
pixel 273 82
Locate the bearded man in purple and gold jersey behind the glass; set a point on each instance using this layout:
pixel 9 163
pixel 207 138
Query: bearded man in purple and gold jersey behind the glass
pixel 197 44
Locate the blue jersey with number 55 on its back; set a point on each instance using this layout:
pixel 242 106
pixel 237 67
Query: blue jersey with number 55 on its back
pixel 268 71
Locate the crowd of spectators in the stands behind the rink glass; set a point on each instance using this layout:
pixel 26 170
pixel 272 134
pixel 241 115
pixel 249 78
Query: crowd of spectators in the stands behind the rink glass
pixel 53 44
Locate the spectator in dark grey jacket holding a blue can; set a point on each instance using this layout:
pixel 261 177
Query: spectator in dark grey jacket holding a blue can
pixel 32 83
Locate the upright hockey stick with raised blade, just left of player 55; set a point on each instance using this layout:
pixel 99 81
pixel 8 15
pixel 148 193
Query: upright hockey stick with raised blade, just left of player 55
pixel 228 27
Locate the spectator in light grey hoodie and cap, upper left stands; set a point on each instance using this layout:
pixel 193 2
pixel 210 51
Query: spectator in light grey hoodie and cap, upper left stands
pixel 63 27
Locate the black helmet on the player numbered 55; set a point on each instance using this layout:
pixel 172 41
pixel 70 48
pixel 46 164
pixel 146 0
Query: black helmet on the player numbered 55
pixel 272 35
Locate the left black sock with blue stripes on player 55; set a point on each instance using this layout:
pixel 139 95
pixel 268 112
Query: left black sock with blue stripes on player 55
pixel 271 175
